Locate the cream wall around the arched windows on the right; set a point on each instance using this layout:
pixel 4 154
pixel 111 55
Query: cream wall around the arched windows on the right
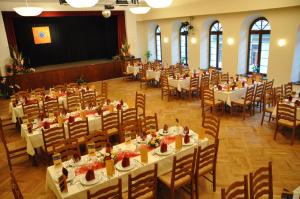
pixel 284 25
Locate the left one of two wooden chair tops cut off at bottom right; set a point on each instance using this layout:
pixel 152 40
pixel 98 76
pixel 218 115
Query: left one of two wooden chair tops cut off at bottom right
pixel 238 189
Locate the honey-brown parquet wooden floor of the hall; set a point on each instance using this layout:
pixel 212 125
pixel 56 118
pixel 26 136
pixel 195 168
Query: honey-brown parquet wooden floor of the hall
pixel 244 146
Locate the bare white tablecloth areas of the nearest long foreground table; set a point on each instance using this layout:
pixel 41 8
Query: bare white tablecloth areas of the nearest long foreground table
pixel 79 191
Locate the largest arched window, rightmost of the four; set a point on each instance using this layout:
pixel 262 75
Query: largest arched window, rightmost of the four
pixel 259 44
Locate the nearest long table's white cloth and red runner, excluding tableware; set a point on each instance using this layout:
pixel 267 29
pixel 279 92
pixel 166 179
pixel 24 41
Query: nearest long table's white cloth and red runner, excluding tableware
pixel 78 189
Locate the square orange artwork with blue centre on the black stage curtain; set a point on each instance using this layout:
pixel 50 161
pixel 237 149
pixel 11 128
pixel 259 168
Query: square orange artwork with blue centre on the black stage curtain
pixel 41 35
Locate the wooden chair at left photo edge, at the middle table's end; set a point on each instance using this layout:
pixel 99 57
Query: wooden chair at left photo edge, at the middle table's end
pixel 13 150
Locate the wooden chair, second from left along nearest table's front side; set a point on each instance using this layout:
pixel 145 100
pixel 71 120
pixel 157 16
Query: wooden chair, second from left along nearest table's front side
pixel 143 185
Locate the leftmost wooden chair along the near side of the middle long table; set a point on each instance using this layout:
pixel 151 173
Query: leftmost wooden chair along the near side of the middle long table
pixel 50 137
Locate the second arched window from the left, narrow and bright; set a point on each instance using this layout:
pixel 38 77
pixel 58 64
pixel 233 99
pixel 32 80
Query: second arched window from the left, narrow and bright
pixel 183 40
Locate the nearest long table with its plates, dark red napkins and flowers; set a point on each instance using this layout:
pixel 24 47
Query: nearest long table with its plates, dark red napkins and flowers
pixel 128 157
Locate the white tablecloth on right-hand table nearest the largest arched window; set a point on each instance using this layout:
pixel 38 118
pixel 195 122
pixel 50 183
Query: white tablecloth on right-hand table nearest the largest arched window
pixel 228 96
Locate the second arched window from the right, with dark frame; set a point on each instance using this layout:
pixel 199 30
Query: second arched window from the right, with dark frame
pixel 215 45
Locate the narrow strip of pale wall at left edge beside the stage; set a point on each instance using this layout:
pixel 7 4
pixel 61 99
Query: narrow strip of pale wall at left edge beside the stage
pixel 4 50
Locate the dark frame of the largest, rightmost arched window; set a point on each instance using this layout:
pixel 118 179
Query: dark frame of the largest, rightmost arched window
pixel 260 34
